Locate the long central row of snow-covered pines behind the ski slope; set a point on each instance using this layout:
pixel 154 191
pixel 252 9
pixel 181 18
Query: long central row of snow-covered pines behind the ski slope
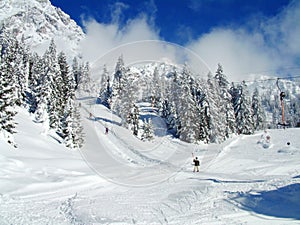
pixel 208 110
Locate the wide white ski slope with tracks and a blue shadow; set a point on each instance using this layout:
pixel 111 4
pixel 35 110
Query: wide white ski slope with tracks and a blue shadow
pixel 118 179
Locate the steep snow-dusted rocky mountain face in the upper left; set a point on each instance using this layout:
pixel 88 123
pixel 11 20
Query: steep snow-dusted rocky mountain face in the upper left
pixel 37 21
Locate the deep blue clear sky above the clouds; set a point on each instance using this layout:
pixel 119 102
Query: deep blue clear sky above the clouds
pixel 178 21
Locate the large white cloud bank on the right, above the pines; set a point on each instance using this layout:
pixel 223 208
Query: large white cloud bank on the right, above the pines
pixel 267 46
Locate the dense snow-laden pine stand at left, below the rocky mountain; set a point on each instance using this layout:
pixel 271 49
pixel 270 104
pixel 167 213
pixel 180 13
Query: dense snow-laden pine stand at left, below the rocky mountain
pixel 45 85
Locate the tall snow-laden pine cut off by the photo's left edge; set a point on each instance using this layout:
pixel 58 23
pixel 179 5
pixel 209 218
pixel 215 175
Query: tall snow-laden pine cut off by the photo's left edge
pixel 7 89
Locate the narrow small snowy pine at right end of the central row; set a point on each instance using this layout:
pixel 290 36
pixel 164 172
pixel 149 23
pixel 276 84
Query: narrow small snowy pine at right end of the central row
pixel 259 116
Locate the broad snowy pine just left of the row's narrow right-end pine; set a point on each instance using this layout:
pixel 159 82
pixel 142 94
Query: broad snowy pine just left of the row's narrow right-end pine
pixel 242 108
